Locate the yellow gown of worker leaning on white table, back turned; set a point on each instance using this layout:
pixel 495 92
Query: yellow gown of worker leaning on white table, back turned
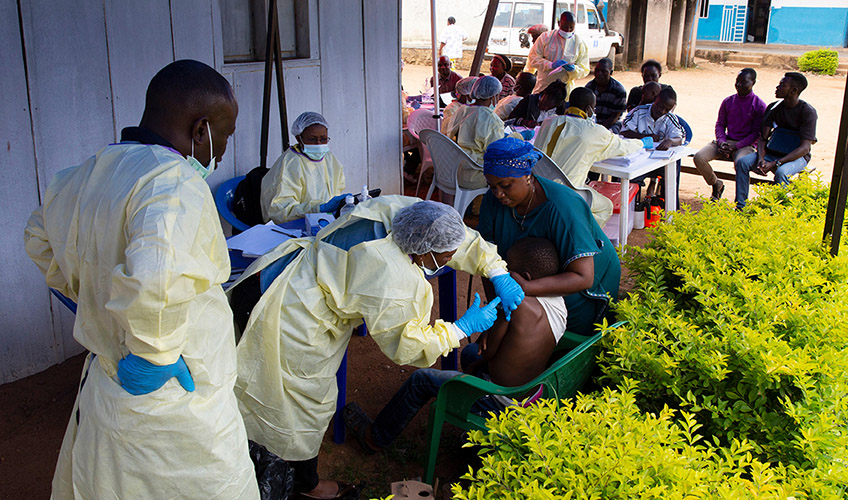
pixel 574 144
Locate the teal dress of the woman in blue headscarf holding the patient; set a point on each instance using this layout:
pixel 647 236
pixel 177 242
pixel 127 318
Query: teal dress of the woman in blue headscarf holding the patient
pixel 566 220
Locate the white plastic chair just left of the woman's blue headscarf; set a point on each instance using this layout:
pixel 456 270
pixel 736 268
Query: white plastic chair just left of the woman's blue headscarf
pixel 448 158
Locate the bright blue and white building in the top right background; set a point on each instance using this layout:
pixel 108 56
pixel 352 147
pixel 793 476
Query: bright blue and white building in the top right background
pixel 822 23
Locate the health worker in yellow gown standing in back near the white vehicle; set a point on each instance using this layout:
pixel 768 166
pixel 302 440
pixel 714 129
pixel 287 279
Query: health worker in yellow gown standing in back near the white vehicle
pixel 559 55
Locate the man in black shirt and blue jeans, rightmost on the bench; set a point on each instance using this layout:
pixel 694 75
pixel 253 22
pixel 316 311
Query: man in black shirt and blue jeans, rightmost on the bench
pixel 787 134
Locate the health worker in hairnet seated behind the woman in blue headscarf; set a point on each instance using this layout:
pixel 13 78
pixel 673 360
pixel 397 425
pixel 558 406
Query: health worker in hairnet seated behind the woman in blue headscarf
pixel 476 126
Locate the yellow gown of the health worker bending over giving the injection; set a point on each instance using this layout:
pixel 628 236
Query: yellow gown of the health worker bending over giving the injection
pixel 299 330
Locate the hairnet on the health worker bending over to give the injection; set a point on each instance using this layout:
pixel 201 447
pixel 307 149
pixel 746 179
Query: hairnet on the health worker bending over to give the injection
pixel 428 226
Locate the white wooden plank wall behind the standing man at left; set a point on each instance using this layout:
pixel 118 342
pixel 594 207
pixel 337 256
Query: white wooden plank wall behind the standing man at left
pixel 82 80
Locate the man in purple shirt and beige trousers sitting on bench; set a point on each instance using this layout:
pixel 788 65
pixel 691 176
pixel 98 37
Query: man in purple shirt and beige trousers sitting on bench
pixel 737 130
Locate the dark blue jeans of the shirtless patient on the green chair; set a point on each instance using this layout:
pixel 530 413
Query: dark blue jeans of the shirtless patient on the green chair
pixel 422 386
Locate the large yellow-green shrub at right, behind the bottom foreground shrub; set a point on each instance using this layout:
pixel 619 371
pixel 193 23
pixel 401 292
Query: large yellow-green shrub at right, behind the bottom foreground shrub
pixel 741 318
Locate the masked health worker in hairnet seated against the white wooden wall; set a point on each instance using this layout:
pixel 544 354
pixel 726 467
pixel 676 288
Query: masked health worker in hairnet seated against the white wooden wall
pixel 305 179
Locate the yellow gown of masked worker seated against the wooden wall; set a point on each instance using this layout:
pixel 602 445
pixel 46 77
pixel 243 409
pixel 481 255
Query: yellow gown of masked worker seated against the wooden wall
pixel 296 185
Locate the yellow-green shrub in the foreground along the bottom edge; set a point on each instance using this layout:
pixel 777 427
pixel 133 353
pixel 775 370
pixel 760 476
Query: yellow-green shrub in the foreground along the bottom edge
pixel 600 446
